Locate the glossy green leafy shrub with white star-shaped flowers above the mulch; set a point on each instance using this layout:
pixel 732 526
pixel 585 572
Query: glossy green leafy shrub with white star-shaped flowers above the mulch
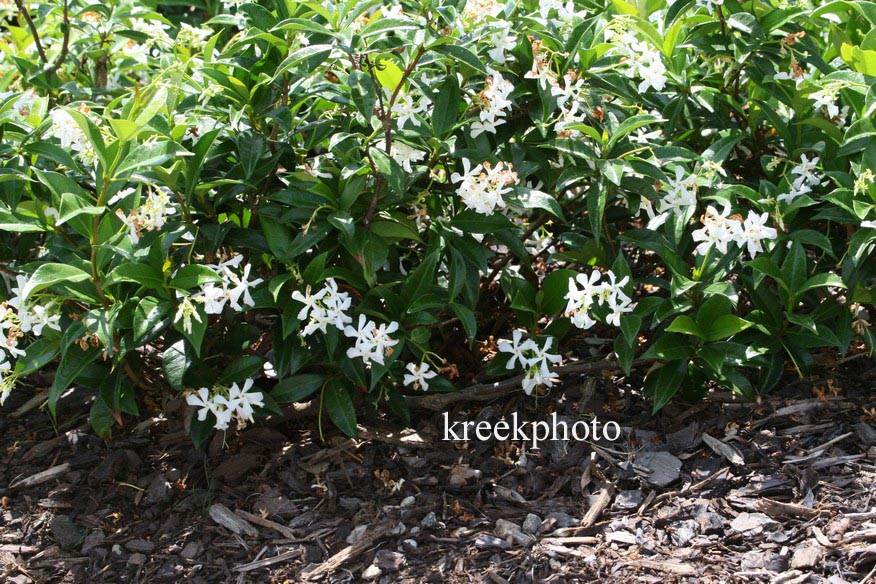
pixel 364 199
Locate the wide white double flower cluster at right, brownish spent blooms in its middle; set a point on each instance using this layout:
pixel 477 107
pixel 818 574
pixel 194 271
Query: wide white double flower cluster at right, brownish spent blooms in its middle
pixel 722 229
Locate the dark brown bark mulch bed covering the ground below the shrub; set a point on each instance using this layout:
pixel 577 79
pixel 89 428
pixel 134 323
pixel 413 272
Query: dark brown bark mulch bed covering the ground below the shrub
pixel 717 491
